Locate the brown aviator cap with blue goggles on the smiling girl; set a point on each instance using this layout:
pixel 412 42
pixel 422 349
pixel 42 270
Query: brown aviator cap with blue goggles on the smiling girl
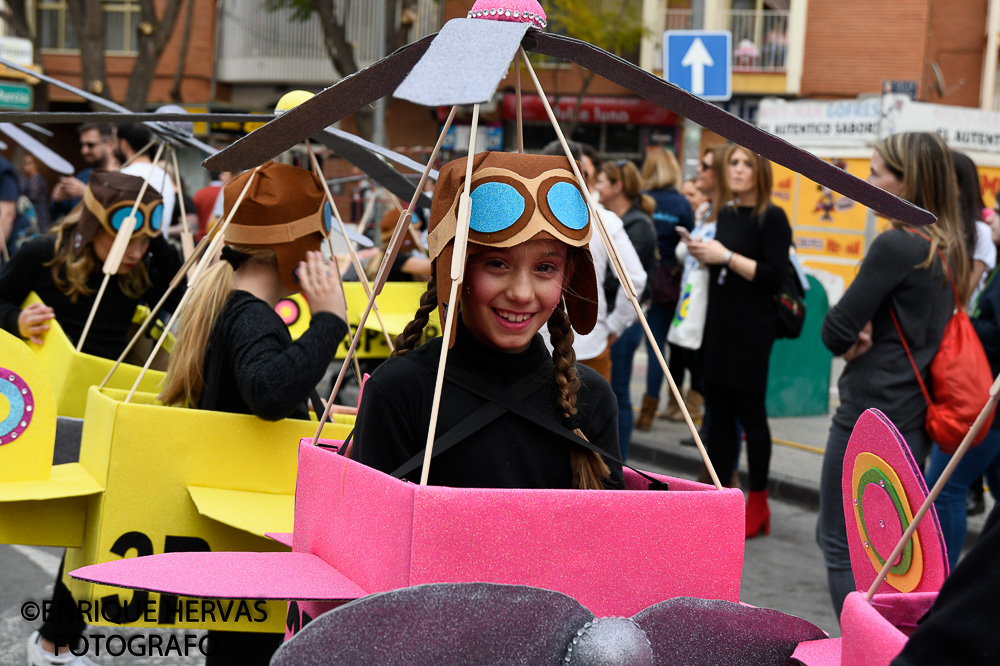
pixel 515 197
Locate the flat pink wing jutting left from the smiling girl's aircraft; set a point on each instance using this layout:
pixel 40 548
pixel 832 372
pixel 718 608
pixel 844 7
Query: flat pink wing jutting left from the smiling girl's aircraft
pixel 227 576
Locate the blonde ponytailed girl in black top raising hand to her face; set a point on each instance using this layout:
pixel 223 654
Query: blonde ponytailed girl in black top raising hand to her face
pixel 234 353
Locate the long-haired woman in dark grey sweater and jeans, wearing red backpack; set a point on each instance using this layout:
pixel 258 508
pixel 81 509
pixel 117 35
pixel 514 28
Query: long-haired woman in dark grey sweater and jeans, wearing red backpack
pixel 902 275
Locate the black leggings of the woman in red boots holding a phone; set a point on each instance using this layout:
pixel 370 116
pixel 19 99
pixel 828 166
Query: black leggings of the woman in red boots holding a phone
pixel 726 407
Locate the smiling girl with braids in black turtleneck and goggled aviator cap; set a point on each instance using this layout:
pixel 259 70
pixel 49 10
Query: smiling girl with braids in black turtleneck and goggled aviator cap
pixel 528 265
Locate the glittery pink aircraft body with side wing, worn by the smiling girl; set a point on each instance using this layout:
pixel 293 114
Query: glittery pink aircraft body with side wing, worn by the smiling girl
pixel 359 531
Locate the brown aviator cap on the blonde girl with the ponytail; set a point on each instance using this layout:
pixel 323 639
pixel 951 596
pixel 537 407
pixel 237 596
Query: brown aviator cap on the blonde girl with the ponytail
pixel 285 210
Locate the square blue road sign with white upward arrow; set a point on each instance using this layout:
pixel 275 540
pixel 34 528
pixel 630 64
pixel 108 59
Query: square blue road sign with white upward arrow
pixel 700 61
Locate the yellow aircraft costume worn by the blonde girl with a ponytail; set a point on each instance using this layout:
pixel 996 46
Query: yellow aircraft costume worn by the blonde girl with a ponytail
pixel 150 479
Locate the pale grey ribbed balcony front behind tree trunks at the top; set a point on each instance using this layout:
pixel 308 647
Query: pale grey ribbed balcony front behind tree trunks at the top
pixel 256 46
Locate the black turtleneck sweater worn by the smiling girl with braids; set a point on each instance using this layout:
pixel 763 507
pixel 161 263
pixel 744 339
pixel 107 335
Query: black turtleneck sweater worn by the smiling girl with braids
pixel 510 452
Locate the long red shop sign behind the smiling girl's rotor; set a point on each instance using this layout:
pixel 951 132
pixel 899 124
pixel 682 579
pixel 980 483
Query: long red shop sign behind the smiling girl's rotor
pixel 593 110
